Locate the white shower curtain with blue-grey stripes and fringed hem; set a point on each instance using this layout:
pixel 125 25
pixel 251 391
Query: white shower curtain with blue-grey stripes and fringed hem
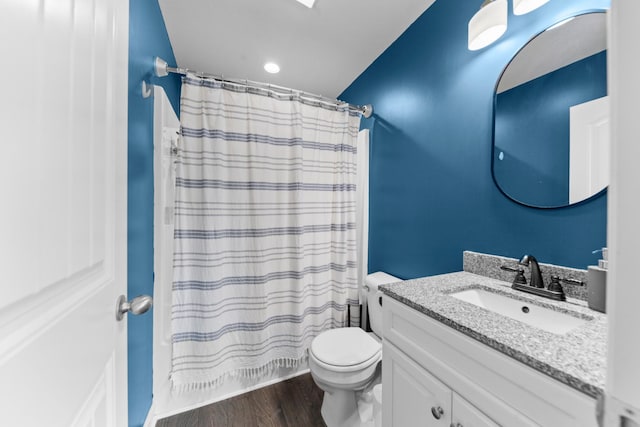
pixel 265 234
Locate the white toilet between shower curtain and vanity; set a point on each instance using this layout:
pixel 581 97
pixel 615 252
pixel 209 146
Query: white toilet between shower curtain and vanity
pixel 345 364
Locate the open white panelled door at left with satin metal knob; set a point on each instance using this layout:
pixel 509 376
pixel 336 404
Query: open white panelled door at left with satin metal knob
pixel 63 171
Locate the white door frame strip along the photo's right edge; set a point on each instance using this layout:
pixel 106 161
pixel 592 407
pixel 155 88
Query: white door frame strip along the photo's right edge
pixel 622 402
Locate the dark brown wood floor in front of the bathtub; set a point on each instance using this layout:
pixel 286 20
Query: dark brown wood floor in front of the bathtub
pixel 292 403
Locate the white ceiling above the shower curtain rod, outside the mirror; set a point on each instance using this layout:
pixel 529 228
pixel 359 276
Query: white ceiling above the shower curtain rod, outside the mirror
pixel 319 50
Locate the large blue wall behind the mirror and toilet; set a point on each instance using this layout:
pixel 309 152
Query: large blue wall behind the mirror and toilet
pixel 432 195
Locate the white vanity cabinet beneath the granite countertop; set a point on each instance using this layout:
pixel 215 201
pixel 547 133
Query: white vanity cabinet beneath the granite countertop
pixel 434 375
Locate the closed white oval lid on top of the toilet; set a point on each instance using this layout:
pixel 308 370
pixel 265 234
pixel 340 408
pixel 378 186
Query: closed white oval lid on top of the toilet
pixel 344 346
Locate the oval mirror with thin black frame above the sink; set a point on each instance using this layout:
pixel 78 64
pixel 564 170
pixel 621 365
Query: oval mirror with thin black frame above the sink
pixel 551 116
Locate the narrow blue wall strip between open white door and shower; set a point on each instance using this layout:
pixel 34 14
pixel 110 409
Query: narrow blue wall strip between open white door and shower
pixel 147 39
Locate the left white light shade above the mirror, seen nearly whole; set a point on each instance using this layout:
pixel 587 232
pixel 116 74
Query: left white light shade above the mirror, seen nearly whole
pixel 488 24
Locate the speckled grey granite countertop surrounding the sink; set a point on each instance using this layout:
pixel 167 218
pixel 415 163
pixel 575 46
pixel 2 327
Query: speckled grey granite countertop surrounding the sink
pixel 577 358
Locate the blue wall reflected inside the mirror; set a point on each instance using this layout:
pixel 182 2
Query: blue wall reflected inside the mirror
pixel 532 130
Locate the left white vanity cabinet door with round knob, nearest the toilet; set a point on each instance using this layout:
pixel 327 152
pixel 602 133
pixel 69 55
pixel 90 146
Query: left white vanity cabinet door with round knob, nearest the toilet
pixel 411 396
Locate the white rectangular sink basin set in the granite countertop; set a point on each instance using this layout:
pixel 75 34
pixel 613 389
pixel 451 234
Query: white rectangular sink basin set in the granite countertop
pixel 534 315
